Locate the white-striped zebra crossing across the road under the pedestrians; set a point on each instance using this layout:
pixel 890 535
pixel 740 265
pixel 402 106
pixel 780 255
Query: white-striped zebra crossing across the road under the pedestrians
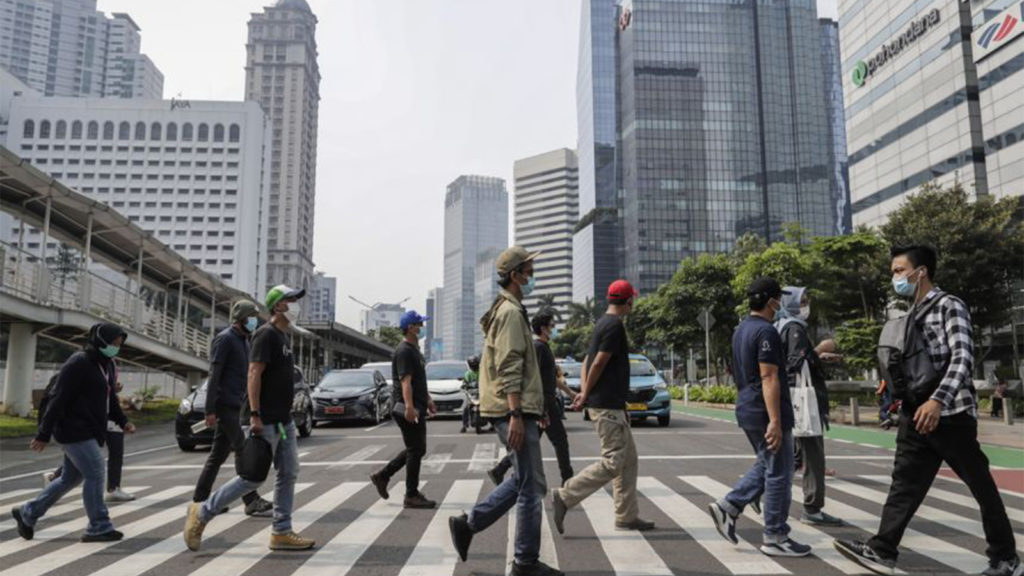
pixel 380 538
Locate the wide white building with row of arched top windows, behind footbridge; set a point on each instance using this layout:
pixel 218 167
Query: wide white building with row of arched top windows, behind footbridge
pixel 192 174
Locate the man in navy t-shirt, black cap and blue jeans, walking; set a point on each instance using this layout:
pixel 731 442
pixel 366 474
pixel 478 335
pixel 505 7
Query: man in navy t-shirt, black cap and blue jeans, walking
pixel 764 412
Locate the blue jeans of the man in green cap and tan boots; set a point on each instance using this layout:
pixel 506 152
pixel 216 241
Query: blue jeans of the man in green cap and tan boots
pixel 286 463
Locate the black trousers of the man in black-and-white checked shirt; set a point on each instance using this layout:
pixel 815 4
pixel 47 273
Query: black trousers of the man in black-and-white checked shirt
pixel 918 461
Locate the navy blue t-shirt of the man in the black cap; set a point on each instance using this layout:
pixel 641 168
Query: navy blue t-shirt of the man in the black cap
pixel 756 342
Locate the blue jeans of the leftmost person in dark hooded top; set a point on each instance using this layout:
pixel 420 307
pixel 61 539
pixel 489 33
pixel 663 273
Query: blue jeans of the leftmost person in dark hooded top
pixel 83 462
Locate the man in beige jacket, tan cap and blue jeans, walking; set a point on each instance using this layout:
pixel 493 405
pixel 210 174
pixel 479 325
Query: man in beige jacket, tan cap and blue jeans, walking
pixel 513 397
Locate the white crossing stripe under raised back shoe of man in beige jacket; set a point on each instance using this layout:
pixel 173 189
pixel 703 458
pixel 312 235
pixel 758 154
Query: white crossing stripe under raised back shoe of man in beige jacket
pixel 434 555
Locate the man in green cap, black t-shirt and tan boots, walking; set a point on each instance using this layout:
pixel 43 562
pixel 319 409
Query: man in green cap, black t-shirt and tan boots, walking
pixel 272 389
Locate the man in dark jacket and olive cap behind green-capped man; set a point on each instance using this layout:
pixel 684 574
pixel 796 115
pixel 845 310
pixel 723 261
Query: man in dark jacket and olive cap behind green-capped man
pixel 225 392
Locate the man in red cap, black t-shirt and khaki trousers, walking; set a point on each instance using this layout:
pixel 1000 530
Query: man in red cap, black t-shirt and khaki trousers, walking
pixel 604 391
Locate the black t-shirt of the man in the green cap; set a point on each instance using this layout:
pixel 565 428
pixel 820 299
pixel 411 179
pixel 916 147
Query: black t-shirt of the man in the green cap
pixel 274 348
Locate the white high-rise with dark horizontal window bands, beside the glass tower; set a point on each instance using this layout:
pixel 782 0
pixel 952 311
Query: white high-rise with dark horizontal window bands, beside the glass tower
pixel 547 209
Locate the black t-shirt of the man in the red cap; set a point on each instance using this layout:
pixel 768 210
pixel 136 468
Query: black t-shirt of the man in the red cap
pixel 614 386
